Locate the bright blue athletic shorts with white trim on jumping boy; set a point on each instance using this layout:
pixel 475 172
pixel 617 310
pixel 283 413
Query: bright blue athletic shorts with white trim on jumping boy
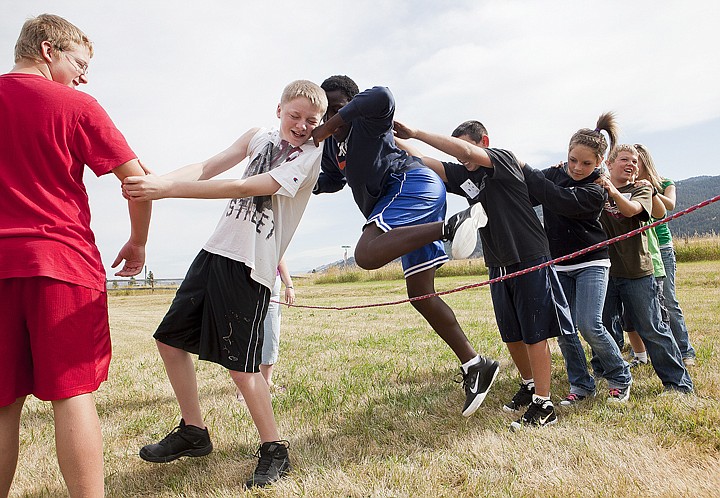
pixel 413 197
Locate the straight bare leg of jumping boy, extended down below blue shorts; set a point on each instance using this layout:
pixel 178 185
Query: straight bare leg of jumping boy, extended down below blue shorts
pixel 438 314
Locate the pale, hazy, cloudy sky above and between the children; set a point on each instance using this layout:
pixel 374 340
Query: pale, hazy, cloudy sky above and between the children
pixel 183 80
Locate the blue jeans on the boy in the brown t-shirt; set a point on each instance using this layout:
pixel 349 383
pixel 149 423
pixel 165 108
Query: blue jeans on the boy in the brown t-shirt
pixel 640 300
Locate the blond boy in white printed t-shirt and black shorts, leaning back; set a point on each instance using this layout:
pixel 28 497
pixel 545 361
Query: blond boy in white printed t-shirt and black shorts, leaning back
pixel 219 308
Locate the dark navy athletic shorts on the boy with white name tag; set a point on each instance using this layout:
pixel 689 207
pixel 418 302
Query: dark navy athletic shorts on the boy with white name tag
pixel 532 307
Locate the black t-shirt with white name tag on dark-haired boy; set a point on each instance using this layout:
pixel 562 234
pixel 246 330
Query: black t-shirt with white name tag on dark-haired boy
pixel 513 233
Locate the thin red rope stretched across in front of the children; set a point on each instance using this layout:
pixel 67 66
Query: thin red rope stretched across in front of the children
pixel 526 270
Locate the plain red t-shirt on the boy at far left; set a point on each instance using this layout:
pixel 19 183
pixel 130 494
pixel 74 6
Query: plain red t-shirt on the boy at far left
pixel 48 133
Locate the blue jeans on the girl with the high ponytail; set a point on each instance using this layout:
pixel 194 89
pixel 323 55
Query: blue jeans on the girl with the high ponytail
pixel 585 291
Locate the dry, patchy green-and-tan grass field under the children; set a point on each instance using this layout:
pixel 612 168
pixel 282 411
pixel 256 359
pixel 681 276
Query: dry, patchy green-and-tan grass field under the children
pixel 372 410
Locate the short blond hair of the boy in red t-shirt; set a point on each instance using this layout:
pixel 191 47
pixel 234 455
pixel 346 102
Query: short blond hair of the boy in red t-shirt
pixel 60 33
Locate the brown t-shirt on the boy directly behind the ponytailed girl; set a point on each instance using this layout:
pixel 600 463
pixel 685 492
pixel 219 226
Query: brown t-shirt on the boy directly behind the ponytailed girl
pixel 629 258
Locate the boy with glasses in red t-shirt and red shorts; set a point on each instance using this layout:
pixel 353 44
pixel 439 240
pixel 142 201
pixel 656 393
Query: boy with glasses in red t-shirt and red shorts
pixel 54 332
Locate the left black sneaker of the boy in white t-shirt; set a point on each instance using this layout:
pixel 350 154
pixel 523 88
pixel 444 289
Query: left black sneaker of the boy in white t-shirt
pixel 183 440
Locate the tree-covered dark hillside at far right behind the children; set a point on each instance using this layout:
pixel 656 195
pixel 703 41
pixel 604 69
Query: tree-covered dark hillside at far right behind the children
pixel 691 192
